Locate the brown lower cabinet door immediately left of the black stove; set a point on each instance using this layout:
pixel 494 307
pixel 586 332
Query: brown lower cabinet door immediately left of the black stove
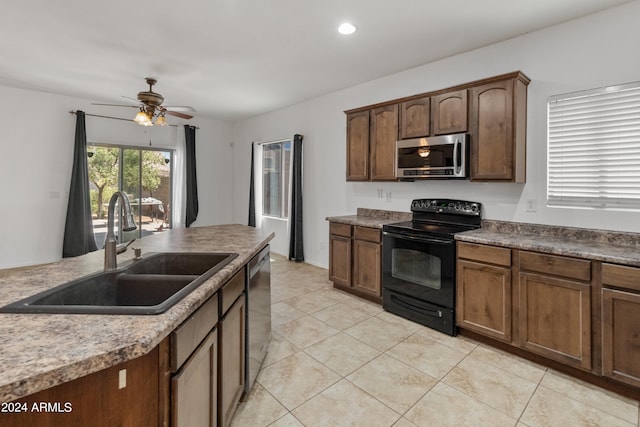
pixel 367 267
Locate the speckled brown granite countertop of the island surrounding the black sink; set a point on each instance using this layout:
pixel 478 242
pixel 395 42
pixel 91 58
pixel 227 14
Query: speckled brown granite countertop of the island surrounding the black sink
pixel 38 351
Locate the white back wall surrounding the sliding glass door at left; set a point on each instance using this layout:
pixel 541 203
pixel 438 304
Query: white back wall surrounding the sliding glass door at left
pixel 37 138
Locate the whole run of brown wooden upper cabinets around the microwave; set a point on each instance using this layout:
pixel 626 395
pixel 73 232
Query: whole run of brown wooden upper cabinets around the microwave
pixel 493 111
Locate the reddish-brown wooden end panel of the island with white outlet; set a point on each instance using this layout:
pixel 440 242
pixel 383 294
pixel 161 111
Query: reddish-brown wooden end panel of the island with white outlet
pixel 125 395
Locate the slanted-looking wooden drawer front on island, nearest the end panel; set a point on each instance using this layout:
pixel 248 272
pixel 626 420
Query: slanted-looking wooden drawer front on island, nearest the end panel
pixel 186 338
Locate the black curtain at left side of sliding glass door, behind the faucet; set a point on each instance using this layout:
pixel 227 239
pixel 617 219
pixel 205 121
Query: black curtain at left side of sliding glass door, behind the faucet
pixel 78 228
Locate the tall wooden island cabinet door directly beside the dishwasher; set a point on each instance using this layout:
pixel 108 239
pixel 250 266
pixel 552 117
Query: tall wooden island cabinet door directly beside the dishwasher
pixel 231 361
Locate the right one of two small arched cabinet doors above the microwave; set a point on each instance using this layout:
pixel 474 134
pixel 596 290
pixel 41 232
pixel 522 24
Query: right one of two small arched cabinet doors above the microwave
pixel 450 111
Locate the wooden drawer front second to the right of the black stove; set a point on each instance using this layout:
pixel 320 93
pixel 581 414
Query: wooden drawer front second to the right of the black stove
pixel 572 268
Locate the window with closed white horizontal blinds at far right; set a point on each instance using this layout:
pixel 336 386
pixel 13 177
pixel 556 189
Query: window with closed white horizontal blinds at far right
pixel 593 148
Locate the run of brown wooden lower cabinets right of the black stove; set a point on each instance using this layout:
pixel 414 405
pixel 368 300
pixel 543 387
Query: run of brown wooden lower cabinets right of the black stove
pixel 579 316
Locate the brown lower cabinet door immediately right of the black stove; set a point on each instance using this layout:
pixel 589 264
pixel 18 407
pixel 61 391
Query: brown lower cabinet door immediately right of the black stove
pixel 484 299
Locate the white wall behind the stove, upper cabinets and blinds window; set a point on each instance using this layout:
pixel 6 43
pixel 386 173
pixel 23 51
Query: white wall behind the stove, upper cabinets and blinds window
pixel 593 51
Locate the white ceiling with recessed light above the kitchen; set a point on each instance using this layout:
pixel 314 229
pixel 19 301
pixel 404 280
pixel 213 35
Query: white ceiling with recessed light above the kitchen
pixel 238 58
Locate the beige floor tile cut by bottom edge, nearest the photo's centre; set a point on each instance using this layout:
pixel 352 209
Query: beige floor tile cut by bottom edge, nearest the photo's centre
pixel 344 404
